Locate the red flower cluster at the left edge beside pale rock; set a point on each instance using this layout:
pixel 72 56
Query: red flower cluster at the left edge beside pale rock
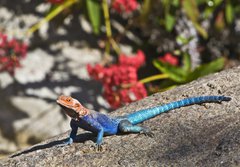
pixel 11 51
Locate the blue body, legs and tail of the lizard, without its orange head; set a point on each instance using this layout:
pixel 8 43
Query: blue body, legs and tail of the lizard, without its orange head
pixel 102 124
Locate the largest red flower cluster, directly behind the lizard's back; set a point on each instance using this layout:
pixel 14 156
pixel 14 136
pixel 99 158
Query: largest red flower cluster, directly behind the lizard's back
pixel 120 81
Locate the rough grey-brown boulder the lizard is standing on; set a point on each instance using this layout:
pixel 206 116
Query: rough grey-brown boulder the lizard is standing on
pixel 198 135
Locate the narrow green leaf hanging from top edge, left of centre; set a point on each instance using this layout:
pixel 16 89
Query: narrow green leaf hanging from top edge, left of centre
pixel 94 13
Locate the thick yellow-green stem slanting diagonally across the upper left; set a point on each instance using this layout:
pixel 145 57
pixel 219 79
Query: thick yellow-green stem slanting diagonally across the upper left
pixel 51 15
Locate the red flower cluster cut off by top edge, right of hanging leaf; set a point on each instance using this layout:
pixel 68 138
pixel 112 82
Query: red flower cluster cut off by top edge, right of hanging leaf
pixel 126 6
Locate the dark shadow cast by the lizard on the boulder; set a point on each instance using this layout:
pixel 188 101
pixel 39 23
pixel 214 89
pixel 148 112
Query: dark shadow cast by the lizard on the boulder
pixel 81 138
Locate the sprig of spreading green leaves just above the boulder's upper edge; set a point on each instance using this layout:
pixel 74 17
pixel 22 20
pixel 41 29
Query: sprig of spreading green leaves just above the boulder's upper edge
pixel 184 74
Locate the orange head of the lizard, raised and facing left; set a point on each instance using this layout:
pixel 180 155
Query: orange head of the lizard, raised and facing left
pixel 72 107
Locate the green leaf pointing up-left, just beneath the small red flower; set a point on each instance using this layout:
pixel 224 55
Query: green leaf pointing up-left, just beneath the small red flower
pixel 177 74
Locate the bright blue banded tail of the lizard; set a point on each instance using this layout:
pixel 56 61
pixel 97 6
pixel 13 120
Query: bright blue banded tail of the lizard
pixel 146 114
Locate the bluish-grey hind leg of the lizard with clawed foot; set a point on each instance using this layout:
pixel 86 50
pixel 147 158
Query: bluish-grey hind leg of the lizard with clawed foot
pixel 126 127
